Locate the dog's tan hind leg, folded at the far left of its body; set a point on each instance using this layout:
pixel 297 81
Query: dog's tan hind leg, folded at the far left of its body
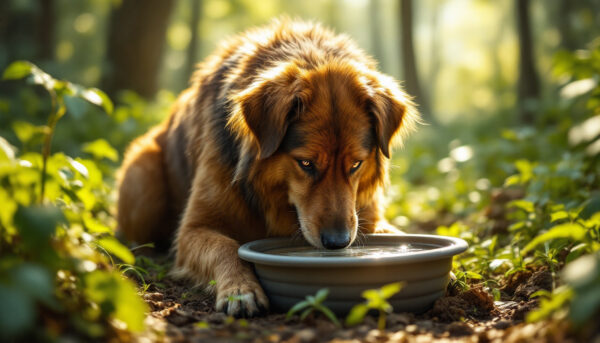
pixel 142 205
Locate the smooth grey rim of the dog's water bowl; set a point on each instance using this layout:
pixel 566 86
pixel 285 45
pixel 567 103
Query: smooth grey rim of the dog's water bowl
pixel 448 247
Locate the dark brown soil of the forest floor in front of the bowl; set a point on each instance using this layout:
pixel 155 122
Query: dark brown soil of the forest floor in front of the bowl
pixel 181 313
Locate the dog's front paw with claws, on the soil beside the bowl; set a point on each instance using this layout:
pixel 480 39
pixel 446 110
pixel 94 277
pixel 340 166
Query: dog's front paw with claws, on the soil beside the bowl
pixel 245 299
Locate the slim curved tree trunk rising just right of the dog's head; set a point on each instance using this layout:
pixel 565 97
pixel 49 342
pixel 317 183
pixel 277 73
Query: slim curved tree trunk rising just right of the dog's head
pixel 411 79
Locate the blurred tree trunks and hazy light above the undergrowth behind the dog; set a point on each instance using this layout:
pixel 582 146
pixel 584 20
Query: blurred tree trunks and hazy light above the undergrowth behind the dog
pixel 463 60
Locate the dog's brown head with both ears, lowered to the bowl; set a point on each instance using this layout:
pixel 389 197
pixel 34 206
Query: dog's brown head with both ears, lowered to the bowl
pixel 327 133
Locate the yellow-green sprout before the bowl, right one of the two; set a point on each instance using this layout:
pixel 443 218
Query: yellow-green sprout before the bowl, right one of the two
pixel 376 300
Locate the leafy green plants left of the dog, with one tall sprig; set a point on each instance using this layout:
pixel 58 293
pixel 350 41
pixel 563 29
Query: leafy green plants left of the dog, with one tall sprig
pixel 56 257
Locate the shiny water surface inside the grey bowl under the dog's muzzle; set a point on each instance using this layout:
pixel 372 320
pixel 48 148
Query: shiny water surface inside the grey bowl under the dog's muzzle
pixel 376 251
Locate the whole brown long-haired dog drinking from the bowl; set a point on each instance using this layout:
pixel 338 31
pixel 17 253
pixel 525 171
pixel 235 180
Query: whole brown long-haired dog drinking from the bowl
pixel 286 128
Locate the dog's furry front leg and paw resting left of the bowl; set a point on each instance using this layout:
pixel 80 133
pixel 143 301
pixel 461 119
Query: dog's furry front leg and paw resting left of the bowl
pixel 206 255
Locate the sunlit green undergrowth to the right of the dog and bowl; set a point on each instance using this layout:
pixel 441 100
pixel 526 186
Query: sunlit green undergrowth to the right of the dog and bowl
pixel 527 199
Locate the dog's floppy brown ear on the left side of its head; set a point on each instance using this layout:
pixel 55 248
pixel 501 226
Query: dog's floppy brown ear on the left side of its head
pixel 268 105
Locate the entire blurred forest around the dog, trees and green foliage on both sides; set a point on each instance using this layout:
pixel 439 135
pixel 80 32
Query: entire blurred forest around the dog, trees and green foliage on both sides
pixel 508 159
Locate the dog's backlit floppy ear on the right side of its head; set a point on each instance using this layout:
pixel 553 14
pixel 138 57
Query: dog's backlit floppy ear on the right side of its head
pixel 393 111
